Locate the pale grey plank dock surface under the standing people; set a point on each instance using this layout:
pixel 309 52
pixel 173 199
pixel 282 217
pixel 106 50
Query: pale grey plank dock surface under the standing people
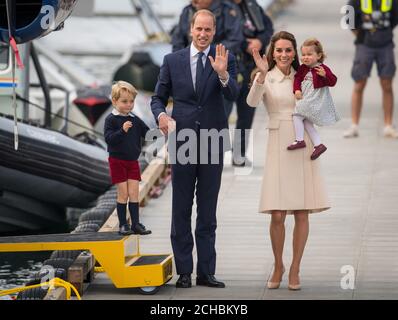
pixel 358 234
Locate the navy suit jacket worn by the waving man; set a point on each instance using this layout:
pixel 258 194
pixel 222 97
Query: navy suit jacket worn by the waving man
pixel 190 110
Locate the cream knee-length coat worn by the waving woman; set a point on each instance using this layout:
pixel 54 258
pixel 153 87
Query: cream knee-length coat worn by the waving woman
pixel 291 181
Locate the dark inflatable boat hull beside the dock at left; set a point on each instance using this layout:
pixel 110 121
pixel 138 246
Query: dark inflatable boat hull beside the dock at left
pixel 49 172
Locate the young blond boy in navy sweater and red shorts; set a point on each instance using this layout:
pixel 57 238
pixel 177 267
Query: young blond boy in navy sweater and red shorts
pixel 123 131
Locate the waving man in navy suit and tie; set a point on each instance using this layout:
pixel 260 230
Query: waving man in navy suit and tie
pixel 197 77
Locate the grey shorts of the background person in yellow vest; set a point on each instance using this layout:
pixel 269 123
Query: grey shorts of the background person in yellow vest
pixel 364 58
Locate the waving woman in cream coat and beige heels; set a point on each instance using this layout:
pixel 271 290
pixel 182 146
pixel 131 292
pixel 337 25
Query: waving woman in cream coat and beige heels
pixel 292 182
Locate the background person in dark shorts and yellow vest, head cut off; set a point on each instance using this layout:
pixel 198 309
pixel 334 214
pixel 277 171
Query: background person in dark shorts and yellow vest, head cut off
pixel 373 30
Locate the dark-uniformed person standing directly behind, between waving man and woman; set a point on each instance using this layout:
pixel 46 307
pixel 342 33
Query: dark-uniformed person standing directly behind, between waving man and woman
pixel 257 30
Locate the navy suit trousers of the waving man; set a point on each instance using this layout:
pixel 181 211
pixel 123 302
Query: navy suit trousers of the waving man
pixel 206 179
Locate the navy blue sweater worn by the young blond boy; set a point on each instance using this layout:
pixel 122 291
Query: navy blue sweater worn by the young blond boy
pixel 122 145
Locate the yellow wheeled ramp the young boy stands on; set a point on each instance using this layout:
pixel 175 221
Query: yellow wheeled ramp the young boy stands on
pixel 118 255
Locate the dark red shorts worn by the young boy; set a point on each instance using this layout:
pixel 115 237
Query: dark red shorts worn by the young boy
pixel 123 170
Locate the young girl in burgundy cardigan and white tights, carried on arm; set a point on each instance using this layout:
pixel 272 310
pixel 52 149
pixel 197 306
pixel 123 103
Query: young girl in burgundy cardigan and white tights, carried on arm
pixel 314 102
